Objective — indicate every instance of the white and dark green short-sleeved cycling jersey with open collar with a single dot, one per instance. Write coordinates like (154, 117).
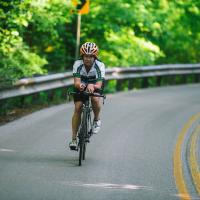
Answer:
(96, 73)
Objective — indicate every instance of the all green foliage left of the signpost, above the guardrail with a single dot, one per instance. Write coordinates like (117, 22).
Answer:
(32, 37)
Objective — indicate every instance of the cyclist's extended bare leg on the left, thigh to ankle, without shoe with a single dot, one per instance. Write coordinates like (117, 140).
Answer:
(76, 118)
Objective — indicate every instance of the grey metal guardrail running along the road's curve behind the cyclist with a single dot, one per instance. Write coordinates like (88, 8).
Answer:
(29, 86)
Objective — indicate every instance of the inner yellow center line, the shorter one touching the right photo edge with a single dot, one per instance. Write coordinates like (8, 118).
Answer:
(193, 160)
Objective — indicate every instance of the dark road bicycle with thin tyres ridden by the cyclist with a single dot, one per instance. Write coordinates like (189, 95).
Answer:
(85, 128)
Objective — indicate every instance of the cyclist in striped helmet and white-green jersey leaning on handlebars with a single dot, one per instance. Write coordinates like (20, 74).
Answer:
(89, 75)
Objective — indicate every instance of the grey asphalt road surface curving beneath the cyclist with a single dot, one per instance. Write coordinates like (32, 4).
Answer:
(131, 158)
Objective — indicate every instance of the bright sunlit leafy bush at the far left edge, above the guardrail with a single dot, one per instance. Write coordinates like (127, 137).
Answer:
(16, 58)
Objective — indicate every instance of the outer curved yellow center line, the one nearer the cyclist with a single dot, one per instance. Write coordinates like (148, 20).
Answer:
(178, 169)
